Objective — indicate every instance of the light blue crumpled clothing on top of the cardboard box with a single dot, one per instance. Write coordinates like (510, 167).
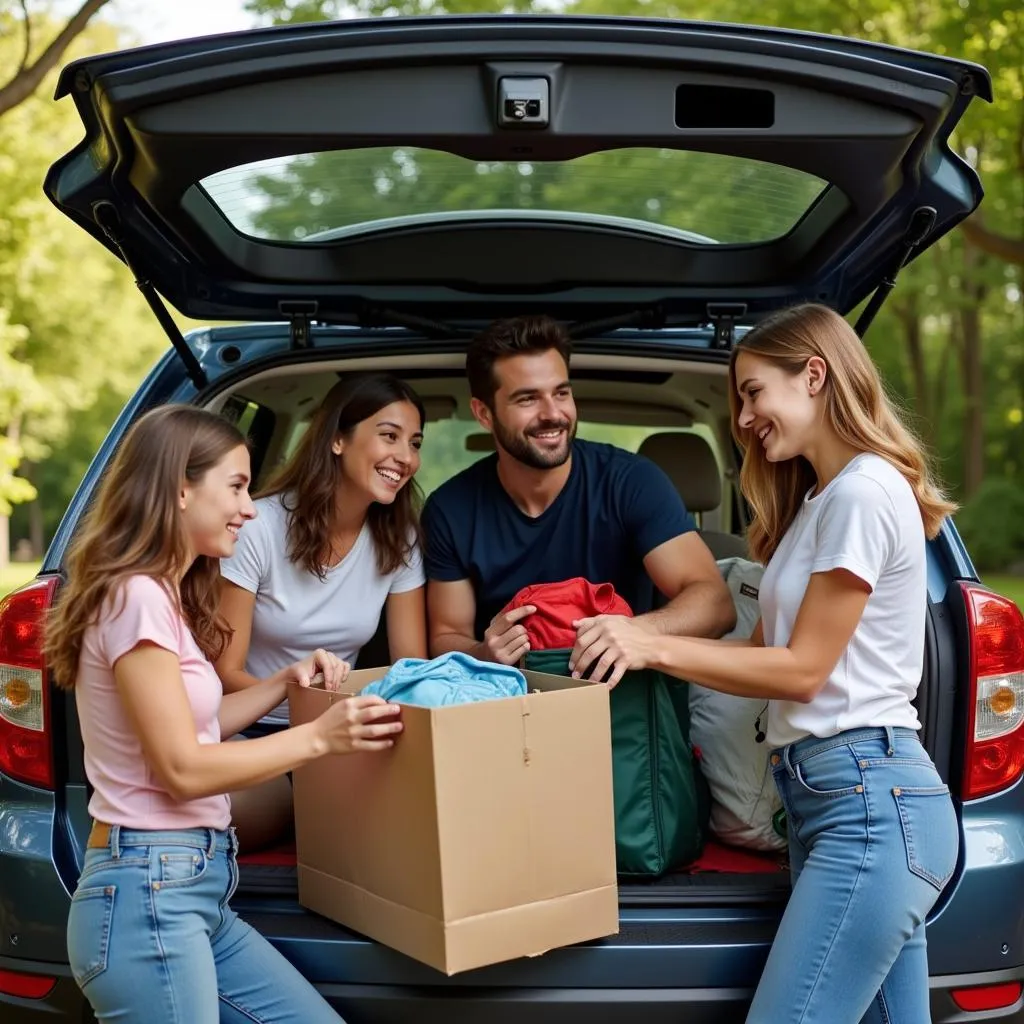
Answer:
(451, 679)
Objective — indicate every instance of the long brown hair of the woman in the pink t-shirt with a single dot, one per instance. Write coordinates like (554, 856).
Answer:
(135, 528)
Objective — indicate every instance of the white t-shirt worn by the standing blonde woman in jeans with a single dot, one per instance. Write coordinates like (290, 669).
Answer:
(868, 522)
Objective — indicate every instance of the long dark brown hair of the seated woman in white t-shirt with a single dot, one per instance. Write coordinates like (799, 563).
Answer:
(309, 483)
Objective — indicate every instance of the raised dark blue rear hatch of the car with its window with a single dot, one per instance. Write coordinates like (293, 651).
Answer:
(431, 172)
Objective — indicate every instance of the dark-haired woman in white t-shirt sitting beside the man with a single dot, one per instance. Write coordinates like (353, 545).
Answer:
(335, 543)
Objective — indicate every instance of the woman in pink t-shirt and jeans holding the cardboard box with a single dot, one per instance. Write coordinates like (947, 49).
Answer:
(151, 936)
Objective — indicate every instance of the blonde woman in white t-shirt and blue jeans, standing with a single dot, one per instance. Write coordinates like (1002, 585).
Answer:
(843, 506)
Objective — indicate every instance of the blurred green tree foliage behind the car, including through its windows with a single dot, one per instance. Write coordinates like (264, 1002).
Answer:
(76, 334)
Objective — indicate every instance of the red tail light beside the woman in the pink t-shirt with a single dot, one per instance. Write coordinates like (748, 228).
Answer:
(26, 746)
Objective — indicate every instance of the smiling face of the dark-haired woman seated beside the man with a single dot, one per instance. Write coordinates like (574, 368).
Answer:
(381, 454)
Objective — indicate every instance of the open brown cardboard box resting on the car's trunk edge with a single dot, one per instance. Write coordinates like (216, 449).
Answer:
(486, 834)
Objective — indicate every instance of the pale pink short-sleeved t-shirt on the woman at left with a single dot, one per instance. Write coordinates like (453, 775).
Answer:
(127, 791)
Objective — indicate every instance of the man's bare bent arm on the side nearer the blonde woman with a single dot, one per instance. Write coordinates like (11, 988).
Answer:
(686, 572)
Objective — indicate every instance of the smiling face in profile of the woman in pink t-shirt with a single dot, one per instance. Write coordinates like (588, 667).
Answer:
(216, 507)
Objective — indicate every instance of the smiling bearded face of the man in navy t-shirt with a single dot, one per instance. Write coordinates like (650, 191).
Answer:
(534, 418)
